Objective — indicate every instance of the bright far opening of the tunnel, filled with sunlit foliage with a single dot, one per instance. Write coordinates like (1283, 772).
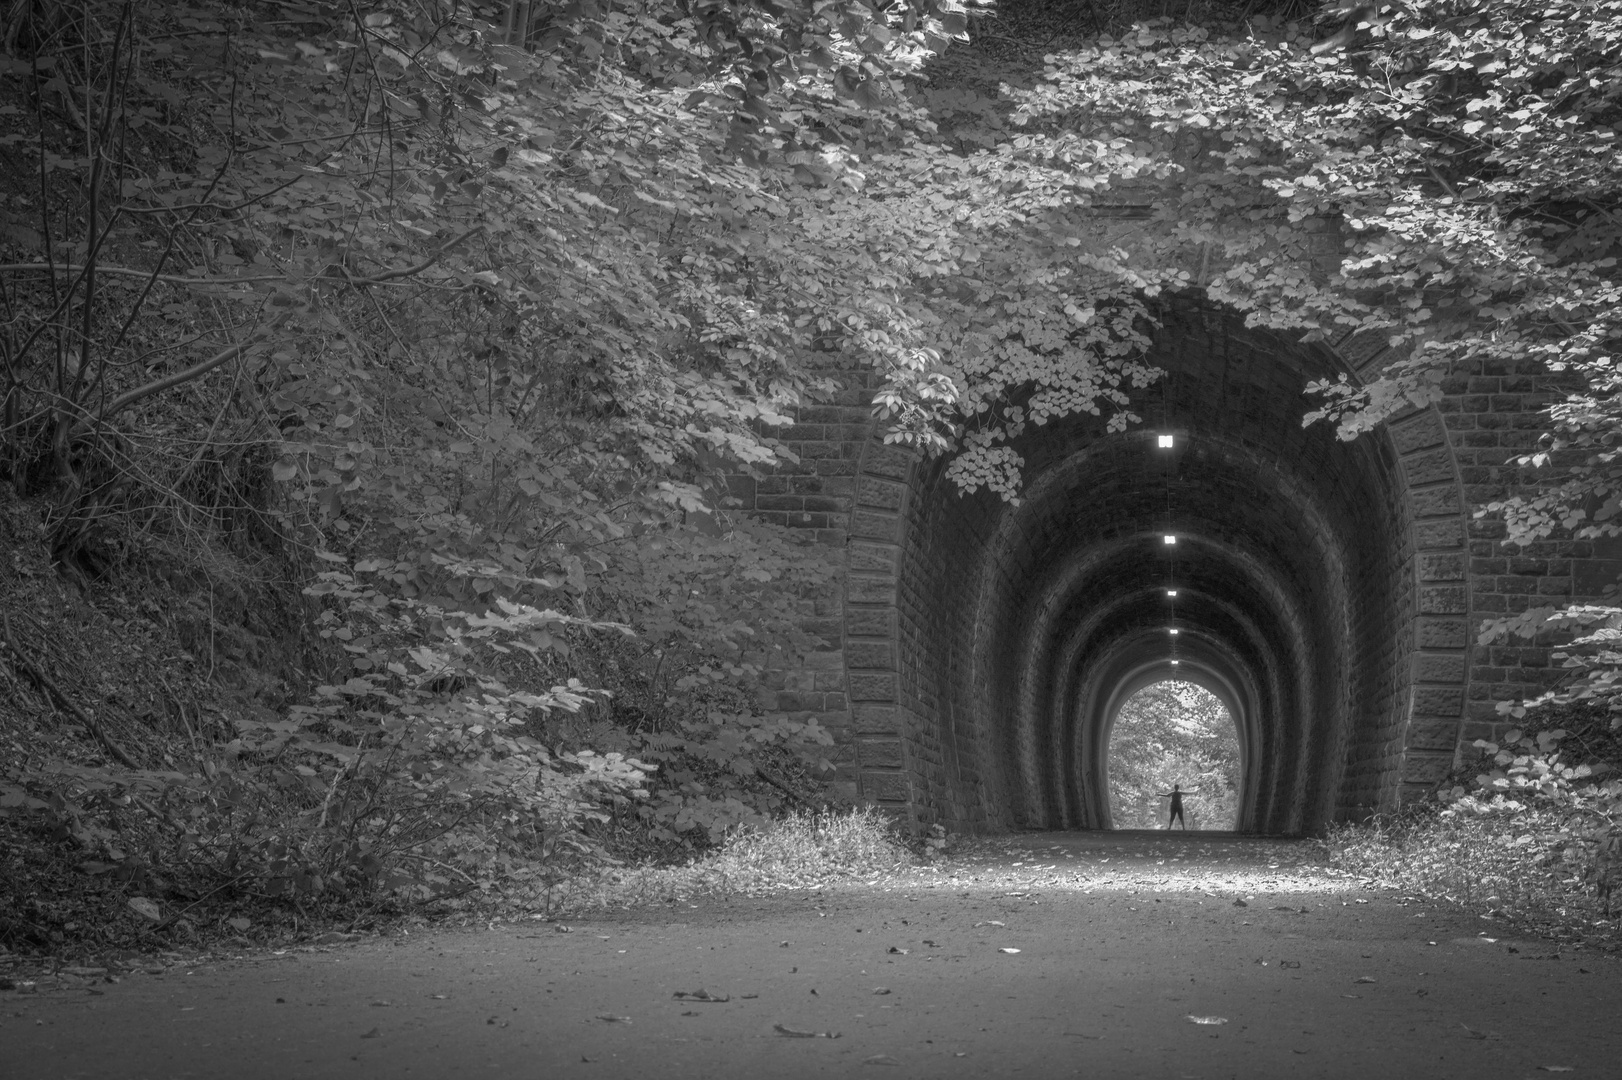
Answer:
(1174, 734)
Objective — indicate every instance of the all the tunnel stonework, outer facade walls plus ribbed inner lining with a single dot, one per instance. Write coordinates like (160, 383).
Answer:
(1331, 591)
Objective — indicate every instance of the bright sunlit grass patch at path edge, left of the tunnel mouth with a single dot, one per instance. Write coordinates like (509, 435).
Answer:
(804, 851)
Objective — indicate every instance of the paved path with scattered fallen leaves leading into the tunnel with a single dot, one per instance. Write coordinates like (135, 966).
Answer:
(1122, 938)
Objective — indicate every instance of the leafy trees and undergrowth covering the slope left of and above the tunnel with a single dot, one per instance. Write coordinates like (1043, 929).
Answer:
(372, 374)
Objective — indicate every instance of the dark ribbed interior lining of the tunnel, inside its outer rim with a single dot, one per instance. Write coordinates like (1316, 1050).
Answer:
(1024, 628)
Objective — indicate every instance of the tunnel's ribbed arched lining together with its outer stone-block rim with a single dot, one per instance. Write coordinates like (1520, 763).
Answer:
(940, 589)
